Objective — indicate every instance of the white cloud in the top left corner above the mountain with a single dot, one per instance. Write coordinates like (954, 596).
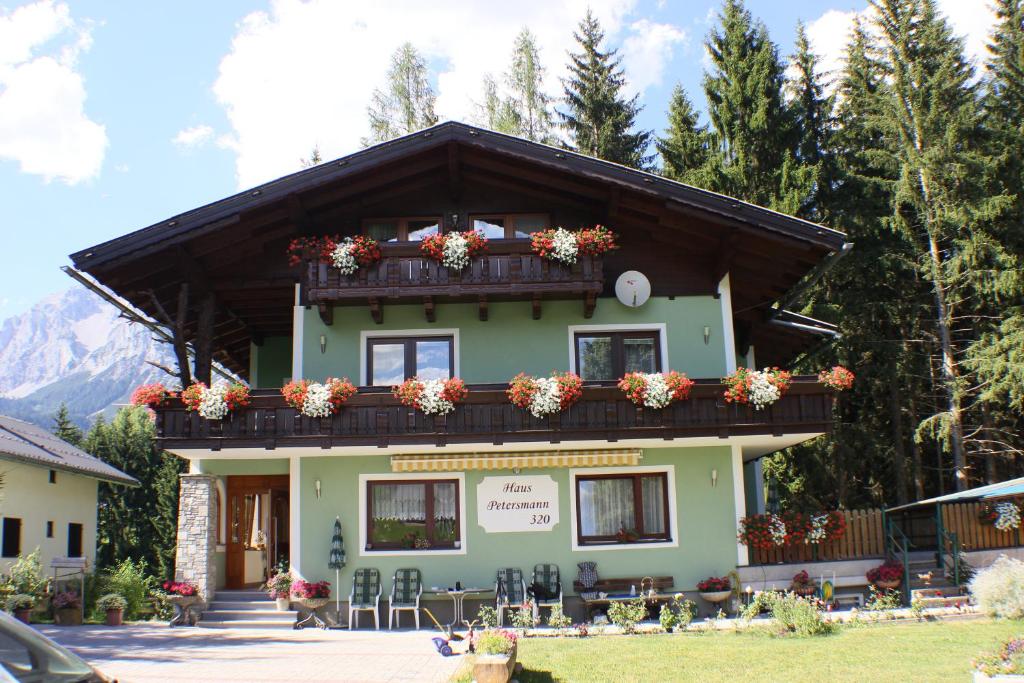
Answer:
(44, 125)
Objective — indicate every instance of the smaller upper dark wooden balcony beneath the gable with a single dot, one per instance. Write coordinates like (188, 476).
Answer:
(508, 272)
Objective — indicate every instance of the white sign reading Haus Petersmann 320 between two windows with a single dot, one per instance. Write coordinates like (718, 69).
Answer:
(518, 504)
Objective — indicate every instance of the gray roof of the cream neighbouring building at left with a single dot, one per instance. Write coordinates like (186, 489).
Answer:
(28, 444)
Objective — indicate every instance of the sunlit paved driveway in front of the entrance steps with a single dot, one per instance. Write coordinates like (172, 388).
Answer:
(151, 654)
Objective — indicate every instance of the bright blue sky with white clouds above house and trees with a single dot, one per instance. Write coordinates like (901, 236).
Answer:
(114, 116)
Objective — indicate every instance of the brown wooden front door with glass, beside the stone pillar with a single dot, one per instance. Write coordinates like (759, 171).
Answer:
(258, 528)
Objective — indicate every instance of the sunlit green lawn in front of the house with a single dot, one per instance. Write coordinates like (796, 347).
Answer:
(915, 652)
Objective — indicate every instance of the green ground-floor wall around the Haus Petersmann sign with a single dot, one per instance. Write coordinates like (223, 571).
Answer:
(705, 524)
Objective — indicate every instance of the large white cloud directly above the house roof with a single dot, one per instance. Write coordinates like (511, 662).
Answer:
(303, 73)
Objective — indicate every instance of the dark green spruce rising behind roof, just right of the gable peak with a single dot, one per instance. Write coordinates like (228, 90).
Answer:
(599, 118)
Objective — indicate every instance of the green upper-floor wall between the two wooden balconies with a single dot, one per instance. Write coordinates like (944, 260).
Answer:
(510, 341)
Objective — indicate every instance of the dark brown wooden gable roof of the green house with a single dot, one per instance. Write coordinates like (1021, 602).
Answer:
(235, 247)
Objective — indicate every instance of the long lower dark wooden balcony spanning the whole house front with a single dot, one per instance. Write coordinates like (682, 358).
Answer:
(374, 418)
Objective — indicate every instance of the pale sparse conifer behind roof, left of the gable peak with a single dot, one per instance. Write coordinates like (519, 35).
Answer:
(406, 105)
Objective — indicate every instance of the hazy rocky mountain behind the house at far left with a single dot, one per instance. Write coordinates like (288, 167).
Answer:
(72, 348)
